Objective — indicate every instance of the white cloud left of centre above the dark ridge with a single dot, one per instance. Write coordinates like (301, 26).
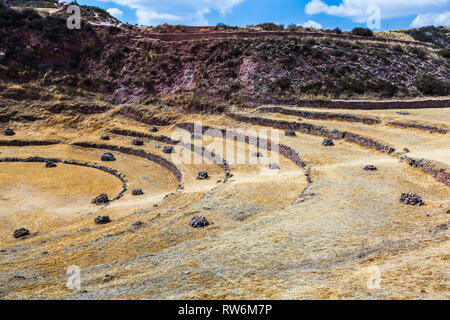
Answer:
(192, 12)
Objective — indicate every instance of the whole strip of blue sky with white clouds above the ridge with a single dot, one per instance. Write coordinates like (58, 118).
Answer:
(346, 14)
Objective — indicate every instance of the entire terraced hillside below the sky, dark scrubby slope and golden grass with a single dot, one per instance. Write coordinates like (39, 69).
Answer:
(197, 163)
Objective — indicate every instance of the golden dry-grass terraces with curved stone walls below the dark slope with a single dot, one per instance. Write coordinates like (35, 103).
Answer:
(314, 228)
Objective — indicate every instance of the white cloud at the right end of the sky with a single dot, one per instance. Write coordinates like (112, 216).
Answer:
(357, 9)
